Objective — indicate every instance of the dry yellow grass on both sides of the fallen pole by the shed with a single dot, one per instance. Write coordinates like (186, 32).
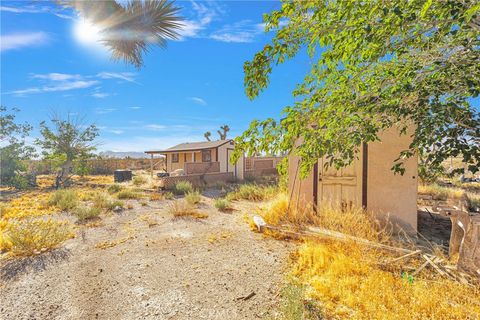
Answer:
(350, 281)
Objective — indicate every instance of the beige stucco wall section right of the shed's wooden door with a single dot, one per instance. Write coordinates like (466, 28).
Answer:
(389, 193)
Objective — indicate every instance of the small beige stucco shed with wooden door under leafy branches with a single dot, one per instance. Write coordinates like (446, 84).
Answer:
(369, 182)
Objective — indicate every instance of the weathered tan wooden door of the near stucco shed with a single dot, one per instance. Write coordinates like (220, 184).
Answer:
(340, 188)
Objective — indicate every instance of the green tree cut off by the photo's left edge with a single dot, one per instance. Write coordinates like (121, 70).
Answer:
(13, 149)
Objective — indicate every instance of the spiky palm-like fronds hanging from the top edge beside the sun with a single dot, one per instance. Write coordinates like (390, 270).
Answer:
(128, 29)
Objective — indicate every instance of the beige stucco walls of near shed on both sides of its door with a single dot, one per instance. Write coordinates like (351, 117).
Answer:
(388, 194)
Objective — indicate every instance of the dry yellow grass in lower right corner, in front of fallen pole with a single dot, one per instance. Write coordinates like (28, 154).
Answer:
(348, 283)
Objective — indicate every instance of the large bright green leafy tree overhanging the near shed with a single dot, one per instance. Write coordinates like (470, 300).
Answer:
(374, 64)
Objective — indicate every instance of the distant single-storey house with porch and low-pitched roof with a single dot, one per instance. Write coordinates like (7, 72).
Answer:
(201, 158)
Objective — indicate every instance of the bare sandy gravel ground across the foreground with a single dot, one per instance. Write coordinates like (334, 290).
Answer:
(144, 264)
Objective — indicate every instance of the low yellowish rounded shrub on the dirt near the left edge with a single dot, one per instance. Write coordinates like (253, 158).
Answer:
(32, 236)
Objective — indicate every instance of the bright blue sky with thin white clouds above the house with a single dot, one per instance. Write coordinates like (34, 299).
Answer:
(193, 86)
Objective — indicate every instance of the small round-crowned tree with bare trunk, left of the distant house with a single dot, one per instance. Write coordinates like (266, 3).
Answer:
(68, 142)
